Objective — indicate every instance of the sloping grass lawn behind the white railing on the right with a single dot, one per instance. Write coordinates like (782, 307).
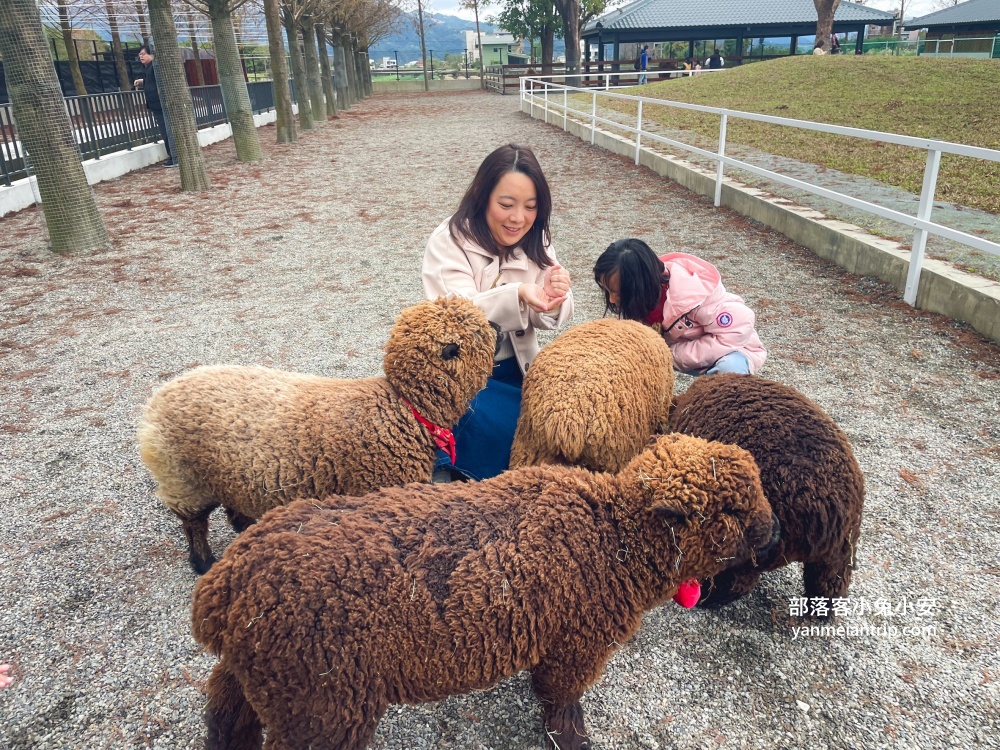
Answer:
(954, 100)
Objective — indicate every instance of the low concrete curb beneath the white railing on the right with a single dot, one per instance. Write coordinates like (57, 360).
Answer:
(943, 289)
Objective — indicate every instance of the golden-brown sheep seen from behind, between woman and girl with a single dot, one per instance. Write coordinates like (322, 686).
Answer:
(594, 396)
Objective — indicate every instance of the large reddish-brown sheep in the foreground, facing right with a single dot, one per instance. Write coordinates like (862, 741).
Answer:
(326, 612)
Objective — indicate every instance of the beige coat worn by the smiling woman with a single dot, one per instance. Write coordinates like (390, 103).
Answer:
(468, 270)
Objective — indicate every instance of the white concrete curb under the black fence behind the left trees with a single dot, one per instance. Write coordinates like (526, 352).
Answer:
(21, 193)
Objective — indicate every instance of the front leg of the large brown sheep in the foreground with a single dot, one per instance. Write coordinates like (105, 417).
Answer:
(559, 685)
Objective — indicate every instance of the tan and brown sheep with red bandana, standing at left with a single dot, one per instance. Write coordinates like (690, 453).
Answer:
(250, 438)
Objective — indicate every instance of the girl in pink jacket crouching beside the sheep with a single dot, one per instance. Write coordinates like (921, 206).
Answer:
(708, 329)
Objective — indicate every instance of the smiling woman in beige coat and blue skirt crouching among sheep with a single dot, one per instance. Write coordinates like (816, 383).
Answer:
(496, 251)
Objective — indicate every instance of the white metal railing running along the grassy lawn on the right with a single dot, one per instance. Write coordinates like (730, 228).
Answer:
(554, 98)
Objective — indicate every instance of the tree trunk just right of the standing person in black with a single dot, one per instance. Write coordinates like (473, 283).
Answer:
(176, 98)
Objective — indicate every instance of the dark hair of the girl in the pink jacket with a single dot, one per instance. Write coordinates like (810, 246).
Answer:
(640, 278)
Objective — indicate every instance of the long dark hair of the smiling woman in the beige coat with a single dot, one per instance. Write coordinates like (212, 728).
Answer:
(470, 219)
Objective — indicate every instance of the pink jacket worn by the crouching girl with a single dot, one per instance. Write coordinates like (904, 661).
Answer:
(702, 321)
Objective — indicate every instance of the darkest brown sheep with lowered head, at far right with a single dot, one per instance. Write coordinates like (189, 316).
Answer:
(808, 470)
